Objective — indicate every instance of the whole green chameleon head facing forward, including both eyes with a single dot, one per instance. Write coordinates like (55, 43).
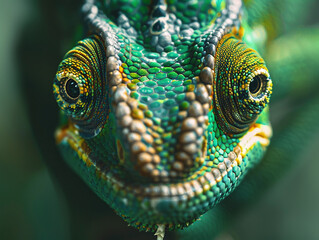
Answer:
(165, 108)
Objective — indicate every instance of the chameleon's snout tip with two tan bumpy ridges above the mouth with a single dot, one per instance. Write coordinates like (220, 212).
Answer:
(147, 149)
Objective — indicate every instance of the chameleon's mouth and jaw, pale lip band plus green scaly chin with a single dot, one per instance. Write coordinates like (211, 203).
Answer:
(174, 204)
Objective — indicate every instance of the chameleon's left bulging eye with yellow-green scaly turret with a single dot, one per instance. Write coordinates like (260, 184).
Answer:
(80, 86)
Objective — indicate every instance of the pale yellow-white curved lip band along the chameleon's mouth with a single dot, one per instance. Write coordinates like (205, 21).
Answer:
(178, 191)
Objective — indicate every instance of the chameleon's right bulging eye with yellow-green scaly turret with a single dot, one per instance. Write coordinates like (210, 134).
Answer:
(242, 88)
